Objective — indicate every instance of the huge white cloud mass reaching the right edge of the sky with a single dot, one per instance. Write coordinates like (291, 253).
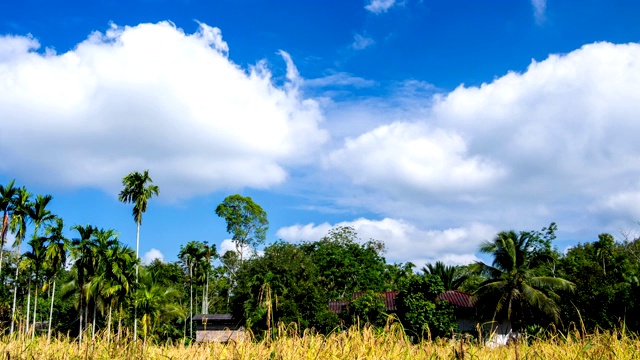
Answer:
(553, 143)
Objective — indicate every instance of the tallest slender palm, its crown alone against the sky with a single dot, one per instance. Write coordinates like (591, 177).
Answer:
(138, 189)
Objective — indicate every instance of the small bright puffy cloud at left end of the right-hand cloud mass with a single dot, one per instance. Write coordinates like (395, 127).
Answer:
(411, 157)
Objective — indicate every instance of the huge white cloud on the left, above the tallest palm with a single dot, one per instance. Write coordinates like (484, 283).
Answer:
(151, 97)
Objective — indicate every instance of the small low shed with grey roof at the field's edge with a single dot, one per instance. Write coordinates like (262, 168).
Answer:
(217, 327)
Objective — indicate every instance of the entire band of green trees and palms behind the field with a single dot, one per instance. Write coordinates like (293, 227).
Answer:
(93, 284)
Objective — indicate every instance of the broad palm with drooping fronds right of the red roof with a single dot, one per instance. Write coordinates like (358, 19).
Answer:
(514, 289)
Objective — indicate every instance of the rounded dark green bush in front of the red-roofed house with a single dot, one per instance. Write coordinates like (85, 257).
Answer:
(419, 311)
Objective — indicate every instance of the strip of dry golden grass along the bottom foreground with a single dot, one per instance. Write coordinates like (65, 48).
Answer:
(351, 344)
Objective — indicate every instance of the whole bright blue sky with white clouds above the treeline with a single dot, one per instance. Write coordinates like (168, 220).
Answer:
(430, 125)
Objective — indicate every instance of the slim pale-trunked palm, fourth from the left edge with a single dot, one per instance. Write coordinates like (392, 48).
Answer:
(56, 255)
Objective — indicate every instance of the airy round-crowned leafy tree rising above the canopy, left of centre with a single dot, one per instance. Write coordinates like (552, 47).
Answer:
(246, 222)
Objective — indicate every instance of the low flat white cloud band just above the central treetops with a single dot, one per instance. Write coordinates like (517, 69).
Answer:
(404, 241)
